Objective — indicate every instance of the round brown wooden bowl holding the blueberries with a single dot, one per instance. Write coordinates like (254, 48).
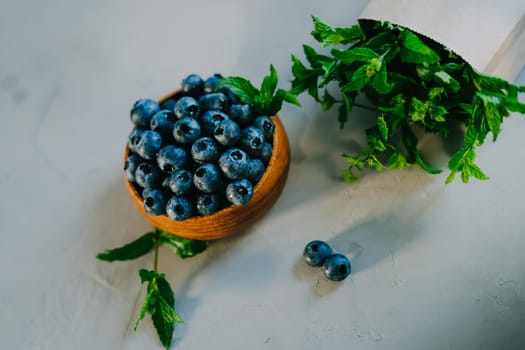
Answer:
(232, 219)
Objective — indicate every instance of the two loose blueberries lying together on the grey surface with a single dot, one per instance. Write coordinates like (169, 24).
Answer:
(335, 266)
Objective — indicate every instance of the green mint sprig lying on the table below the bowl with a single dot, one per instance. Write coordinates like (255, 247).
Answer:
(160, 299)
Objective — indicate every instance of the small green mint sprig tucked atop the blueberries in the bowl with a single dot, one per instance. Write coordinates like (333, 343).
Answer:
(267, 100)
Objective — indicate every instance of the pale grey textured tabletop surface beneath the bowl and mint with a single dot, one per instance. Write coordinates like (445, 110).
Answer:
(438, 266)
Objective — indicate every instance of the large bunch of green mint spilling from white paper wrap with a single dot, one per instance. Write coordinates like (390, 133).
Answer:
(412, 83)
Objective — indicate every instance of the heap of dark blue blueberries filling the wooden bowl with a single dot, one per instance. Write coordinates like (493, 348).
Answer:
(197, 152)
